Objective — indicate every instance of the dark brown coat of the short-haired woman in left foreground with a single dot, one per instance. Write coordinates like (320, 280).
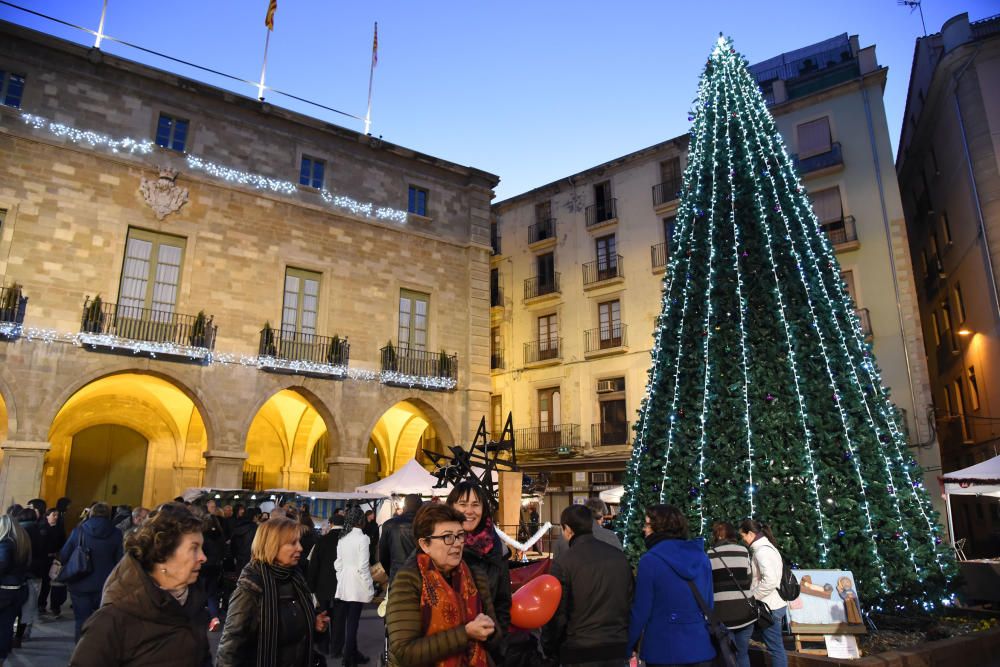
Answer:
(139, 623)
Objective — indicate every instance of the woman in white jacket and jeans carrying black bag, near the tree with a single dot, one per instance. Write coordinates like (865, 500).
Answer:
(766, 565)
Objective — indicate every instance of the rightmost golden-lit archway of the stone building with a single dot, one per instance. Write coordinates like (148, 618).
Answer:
(403, 432)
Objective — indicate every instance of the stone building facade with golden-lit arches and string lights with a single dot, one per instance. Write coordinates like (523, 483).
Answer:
(197, 216)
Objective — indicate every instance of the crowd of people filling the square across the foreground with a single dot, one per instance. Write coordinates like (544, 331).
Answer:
(147, 587)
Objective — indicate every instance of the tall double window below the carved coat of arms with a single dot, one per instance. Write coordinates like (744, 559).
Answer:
(151, 273)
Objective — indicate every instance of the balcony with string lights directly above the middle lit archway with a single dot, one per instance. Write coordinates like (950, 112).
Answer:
(297, 353)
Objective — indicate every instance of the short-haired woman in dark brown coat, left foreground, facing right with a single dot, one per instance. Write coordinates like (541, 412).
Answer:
(152, 613)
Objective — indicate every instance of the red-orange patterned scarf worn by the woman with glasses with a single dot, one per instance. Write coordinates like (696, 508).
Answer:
(445, 605)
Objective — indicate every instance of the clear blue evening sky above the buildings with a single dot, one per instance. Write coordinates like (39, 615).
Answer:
(531, 91)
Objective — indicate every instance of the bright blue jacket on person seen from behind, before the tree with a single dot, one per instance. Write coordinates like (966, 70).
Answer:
(664, 611)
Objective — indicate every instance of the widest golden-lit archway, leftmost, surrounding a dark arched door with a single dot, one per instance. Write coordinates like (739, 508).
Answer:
(157, 409)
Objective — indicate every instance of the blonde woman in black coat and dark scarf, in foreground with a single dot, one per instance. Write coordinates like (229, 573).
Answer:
(271, 619)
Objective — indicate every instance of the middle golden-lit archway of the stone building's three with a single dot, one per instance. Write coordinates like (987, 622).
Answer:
(287, 444)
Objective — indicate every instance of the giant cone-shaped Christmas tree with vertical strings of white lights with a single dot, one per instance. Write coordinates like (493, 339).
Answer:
(764, 399)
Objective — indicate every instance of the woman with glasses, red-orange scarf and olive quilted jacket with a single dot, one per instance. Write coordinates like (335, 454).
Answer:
(440, 612)
